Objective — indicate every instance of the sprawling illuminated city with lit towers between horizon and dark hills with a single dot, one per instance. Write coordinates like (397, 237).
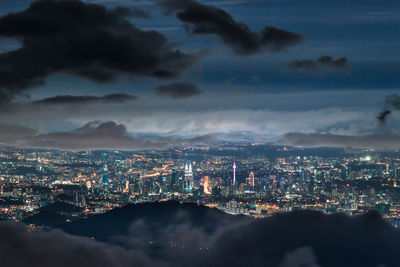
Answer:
(252, 179)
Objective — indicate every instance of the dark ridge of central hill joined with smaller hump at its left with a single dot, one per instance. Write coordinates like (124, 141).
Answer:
(157, 215)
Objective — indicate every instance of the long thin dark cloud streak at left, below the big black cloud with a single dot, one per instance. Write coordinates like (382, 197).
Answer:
(71, 99)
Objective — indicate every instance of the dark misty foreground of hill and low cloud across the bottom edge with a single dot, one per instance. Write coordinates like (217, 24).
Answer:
(173, 234)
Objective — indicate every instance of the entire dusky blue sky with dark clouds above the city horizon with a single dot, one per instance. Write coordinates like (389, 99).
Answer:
(129, 74)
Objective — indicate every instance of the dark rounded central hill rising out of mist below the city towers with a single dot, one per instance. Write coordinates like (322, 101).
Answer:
(155, 215)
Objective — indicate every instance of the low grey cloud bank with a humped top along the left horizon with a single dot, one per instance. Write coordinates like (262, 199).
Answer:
(93, 135)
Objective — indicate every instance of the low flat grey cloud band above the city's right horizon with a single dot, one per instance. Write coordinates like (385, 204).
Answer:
(373, 141)
